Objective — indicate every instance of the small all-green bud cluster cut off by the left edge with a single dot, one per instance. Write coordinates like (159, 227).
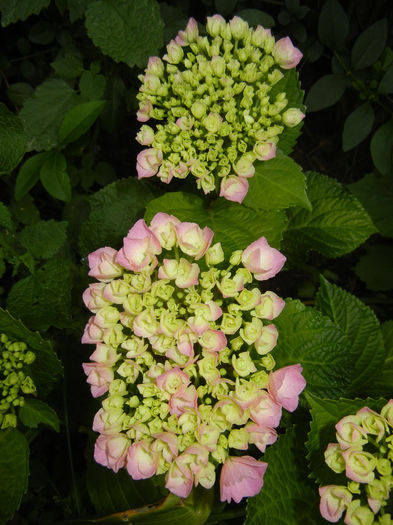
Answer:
(14, 383)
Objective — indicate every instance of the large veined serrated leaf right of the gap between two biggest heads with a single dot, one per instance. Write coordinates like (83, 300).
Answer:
(336, 225)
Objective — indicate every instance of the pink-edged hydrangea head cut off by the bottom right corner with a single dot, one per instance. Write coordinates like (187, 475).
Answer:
(364, 451)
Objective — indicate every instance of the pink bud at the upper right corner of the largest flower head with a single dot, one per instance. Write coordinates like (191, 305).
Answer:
(262, 260)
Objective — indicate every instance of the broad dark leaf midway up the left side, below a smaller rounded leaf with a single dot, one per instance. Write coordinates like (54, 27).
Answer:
(44, 298)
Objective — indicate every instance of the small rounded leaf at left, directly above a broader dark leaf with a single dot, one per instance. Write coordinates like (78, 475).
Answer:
(44, 239)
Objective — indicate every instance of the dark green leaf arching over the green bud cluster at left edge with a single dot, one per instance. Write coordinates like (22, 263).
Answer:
(46, 367)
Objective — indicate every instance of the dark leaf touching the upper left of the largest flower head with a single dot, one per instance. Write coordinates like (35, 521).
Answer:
(114, 209)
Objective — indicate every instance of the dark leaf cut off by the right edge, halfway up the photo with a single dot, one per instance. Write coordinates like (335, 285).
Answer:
(375, 192)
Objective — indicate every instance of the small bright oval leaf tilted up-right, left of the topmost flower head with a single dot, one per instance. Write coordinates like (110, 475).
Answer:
(79, 119)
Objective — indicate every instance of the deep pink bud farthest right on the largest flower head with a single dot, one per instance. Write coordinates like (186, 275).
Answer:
(286, 384)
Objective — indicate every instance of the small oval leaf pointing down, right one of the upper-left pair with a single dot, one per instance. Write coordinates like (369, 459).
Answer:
(54, 177)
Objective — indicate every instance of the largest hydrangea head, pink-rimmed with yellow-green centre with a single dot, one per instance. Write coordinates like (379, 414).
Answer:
(183, 356)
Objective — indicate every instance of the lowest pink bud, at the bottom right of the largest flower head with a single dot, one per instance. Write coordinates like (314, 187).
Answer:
(241, 477)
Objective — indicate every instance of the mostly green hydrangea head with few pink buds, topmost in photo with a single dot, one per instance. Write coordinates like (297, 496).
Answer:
(213, 96)
